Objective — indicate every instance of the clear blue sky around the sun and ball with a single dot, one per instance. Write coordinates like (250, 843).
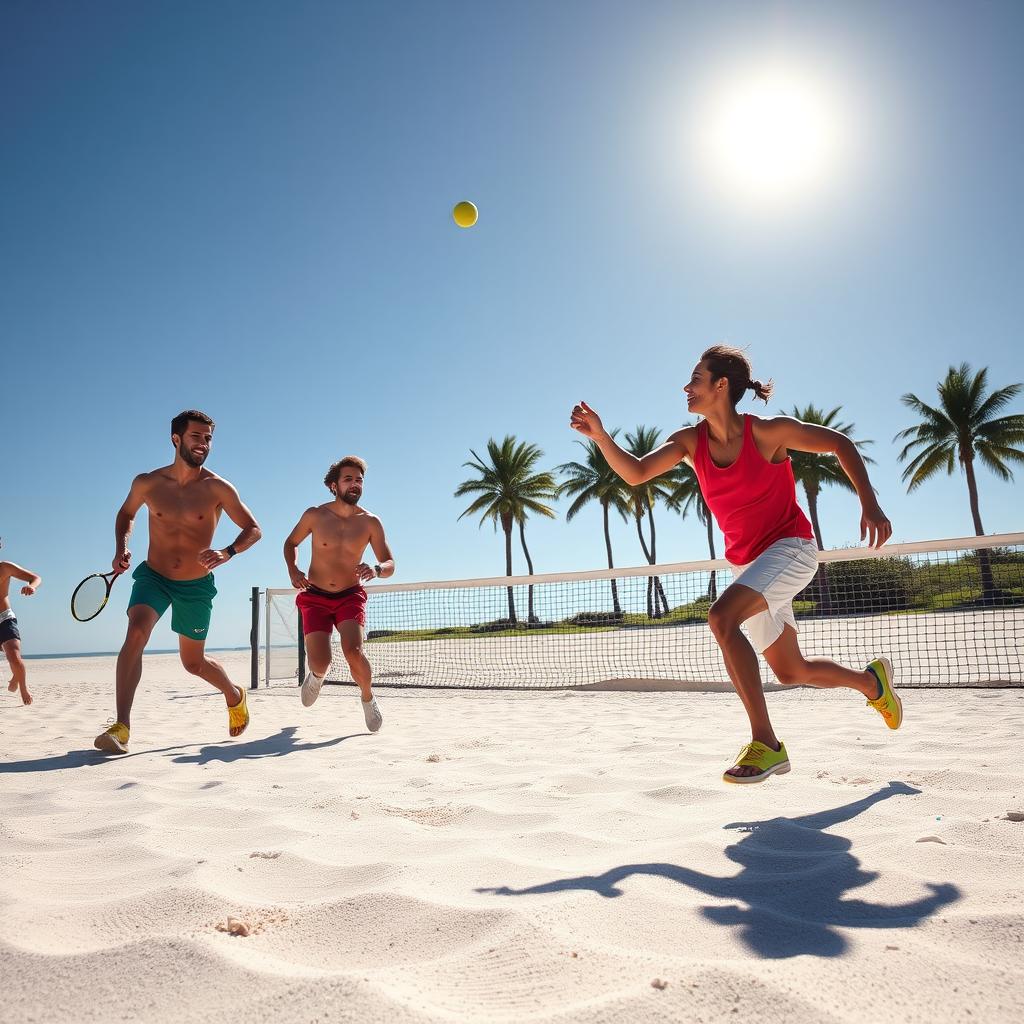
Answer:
(245, 208)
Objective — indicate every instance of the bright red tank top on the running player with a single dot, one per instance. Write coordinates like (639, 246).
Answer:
(754, 501)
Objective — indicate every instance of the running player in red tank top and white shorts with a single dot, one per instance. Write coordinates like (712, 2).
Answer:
(743, 466)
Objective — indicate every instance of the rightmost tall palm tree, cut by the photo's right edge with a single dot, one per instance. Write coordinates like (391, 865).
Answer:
(964, 429)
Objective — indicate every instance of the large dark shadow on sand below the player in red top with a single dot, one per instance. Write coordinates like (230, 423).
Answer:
(791, 890)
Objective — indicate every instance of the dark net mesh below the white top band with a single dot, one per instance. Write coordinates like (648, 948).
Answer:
(946, 615)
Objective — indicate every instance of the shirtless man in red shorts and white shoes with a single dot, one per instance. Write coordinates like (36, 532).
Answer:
(332, 594)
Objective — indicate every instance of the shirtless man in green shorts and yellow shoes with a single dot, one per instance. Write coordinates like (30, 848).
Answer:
(185, 502)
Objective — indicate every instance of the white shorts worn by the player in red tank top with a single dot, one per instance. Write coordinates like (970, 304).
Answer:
(779, 575)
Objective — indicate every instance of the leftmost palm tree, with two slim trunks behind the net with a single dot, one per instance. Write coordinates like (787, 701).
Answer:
(508, 490)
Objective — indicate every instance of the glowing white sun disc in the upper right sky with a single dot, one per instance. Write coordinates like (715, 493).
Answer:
(771, 135)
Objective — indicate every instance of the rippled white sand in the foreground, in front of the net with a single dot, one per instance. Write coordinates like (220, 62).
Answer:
(506, 858)
